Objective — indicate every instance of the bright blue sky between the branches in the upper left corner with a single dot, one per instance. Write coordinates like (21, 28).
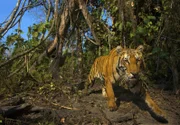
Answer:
(6, 7)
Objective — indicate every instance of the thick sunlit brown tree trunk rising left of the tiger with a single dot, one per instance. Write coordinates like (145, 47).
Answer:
(58, 42)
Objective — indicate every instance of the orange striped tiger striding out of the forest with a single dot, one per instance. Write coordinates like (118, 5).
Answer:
(122, 64)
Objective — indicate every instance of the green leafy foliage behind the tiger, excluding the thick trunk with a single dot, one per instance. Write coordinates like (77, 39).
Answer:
(153, 23)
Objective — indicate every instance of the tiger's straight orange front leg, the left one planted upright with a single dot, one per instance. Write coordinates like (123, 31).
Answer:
(110, 96)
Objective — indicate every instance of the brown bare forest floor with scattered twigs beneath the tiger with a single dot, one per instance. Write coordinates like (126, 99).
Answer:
(67, 108)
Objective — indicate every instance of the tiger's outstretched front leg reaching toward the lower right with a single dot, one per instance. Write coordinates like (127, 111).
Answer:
(156, 112)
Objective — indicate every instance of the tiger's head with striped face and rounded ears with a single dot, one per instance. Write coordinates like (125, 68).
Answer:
(130, 62)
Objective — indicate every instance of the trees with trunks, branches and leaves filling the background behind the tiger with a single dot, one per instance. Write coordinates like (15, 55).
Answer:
(96, 26)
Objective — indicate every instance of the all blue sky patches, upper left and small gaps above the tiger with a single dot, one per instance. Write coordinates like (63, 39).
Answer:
(29, 18)
